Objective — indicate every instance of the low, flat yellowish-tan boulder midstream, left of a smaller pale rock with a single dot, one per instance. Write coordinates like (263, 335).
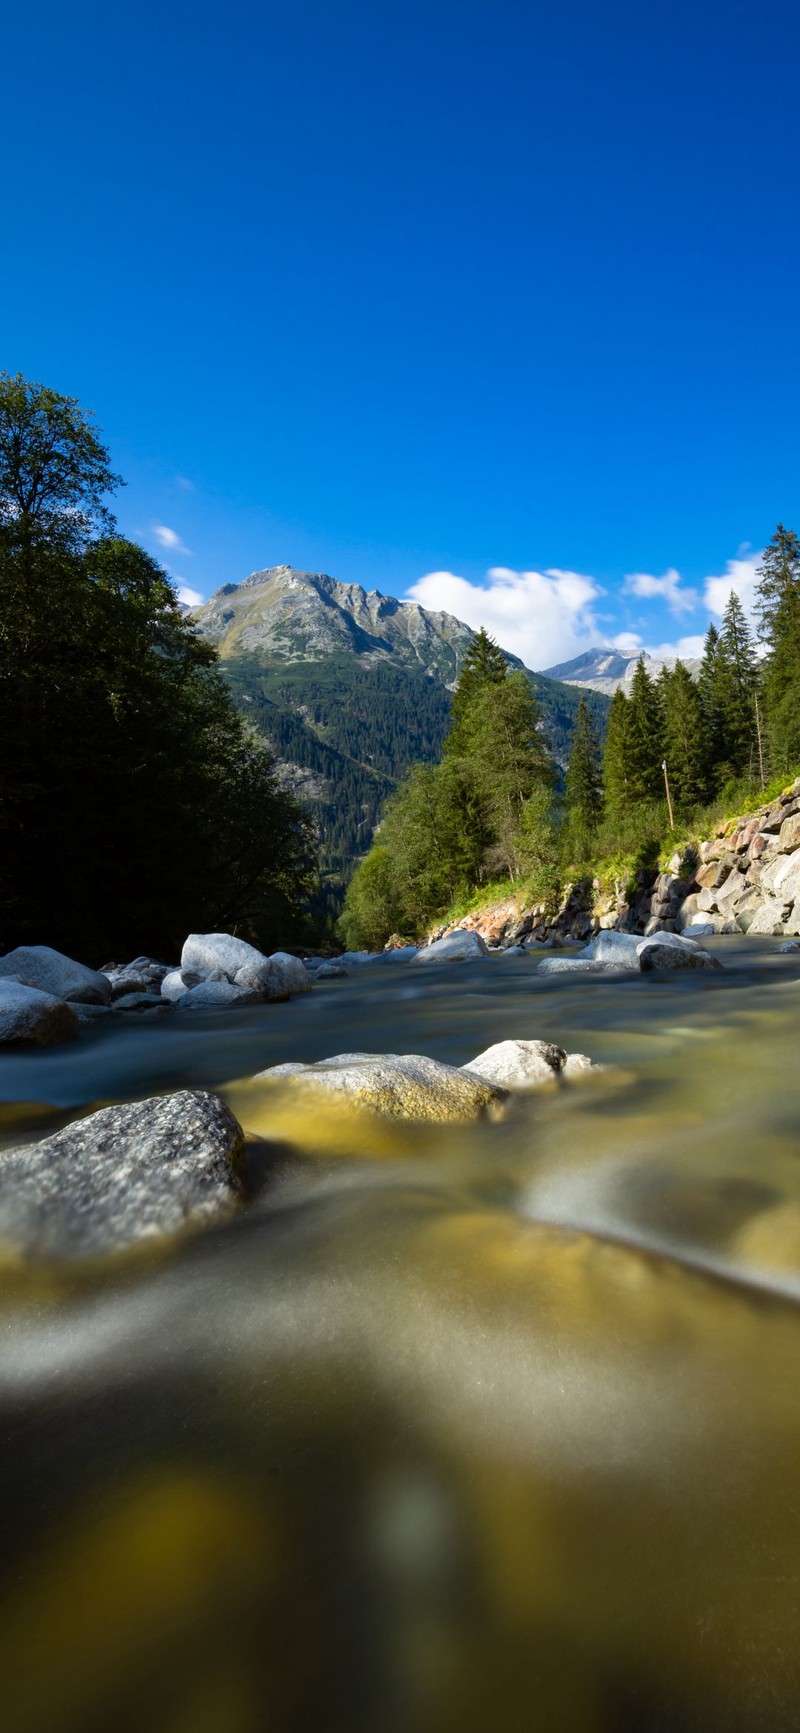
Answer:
(399, 1086)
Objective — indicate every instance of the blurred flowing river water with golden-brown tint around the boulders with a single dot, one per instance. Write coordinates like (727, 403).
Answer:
(456, 1429)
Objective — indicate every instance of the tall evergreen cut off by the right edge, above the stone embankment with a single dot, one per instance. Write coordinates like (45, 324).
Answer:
(780, 618)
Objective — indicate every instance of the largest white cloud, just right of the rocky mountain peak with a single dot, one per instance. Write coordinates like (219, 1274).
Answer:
(543, 618)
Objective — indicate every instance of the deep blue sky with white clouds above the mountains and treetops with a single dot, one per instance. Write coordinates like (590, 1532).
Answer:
(487, 304)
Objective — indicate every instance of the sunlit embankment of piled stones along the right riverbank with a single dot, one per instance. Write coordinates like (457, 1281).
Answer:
(744, 879)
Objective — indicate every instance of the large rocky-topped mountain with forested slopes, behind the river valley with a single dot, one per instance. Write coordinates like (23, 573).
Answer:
(351, 687)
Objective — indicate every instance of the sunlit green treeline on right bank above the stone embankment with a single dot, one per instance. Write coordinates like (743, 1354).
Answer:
(674, 746)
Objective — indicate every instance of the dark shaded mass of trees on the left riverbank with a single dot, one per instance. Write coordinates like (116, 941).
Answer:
(134, 802)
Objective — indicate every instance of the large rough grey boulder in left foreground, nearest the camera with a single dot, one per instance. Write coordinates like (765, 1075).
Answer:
(122, 1176)
